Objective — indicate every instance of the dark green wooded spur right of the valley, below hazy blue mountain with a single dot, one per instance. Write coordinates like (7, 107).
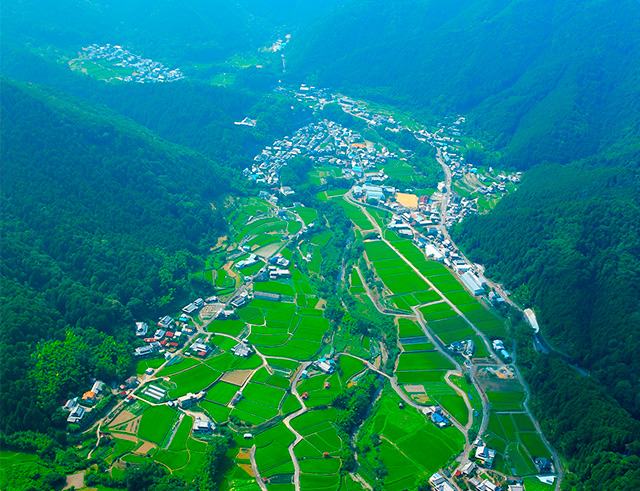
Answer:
(576, 258)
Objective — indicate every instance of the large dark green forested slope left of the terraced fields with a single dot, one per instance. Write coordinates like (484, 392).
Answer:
(101, 221)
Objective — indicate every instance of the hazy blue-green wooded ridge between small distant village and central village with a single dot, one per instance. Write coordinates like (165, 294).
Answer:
(191, 112)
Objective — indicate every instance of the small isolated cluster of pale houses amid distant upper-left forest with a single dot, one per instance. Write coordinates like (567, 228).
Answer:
(134, 68)
